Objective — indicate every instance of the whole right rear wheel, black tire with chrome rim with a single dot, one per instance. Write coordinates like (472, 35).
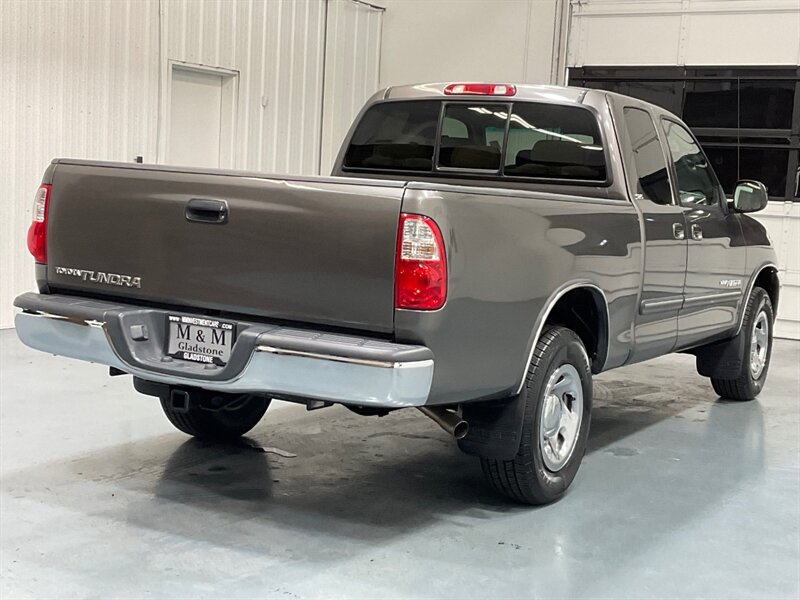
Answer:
(558, 404)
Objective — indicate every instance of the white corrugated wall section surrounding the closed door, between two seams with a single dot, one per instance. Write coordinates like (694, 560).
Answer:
(277, 48)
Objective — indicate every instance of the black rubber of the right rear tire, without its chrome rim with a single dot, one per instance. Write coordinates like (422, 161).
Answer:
(526, 478)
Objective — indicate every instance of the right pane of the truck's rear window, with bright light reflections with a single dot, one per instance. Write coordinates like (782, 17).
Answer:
(554, 142)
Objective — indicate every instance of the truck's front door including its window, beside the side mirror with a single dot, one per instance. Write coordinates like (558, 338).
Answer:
(716, 250)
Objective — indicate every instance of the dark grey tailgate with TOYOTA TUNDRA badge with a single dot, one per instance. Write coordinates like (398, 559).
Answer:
(301, 249)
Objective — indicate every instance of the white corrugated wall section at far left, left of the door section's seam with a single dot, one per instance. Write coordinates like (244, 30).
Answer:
(77, 79)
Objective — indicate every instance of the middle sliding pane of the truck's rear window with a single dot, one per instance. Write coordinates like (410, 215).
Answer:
(485, 125)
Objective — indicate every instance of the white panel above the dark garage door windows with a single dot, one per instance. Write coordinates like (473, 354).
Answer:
(684, 32)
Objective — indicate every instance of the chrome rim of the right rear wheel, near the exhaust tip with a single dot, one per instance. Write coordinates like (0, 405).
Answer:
(560, 420)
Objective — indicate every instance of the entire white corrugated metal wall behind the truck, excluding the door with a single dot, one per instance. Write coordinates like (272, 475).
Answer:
(89, 79)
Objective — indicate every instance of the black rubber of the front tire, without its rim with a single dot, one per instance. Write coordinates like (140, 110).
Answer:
(746, 386)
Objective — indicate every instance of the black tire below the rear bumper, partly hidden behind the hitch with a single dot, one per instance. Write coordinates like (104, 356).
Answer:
(239, 414)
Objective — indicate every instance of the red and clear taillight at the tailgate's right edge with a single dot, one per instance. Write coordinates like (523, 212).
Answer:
(420, 274)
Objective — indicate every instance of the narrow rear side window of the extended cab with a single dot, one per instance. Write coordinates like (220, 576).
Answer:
(651, 167)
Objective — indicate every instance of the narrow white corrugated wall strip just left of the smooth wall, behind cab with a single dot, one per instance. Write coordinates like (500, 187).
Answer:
(352, 69)
